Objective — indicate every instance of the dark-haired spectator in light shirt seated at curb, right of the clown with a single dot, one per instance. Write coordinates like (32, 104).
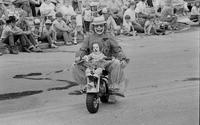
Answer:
(128, 28)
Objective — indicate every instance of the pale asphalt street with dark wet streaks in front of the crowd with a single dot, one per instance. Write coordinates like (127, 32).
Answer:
(163, 85)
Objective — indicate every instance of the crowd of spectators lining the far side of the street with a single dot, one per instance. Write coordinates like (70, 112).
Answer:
(27, 23)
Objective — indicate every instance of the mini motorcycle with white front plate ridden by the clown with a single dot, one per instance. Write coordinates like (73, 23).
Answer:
(97, 88)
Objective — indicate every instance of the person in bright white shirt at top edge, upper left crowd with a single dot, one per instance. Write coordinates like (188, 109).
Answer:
(47, 9)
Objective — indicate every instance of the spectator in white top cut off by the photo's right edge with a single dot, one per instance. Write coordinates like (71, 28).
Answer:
(195, 12)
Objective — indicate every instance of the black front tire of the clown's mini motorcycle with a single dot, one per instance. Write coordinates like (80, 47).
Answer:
(92, 103)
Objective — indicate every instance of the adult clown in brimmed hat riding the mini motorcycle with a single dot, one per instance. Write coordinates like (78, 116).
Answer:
(109, 48)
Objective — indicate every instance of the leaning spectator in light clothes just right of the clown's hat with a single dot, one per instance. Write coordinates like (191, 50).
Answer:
(112, 27)
